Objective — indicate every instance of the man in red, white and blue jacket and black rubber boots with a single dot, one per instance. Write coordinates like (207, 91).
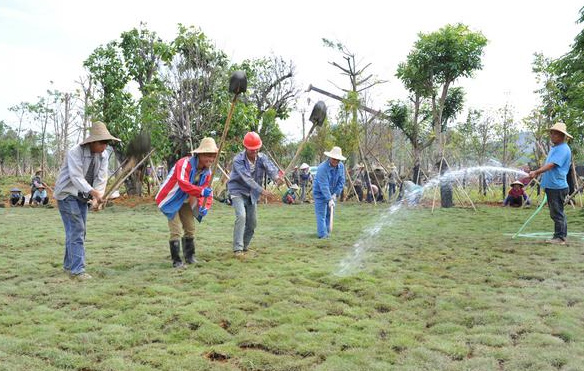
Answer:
(190, 176)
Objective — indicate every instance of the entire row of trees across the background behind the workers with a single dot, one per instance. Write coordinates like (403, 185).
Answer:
(176, 92)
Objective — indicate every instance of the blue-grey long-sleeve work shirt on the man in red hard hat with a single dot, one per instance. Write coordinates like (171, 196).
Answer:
(244, 182)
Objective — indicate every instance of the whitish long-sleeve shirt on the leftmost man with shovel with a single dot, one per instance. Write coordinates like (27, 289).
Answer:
(71, 178)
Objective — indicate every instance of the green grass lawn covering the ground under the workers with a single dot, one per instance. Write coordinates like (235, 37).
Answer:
(443, 291)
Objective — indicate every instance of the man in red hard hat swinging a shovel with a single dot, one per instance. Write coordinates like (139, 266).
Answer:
(244, 186)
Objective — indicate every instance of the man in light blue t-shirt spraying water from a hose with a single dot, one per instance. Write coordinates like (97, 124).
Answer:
(556, 167)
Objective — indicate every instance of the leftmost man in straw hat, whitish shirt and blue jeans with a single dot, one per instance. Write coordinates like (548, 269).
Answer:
(82, 180)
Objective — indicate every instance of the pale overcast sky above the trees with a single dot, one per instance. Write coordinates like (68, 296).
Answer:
(48, 40)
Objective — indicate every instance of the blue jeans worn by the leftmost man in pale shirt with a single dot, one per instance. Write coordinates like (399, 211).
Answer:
(74, 216)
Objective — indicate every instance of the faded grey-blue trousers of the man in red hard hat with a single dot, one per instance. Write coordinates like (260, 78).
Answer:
(245, 222)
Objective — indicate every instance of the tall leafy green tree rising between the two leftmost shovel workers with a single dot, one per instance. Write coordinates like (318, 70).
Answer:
(135, 58)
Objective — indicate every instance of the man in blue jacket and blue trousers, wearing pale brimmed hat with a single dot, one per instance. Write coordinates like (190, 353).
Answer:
(328, 185)
